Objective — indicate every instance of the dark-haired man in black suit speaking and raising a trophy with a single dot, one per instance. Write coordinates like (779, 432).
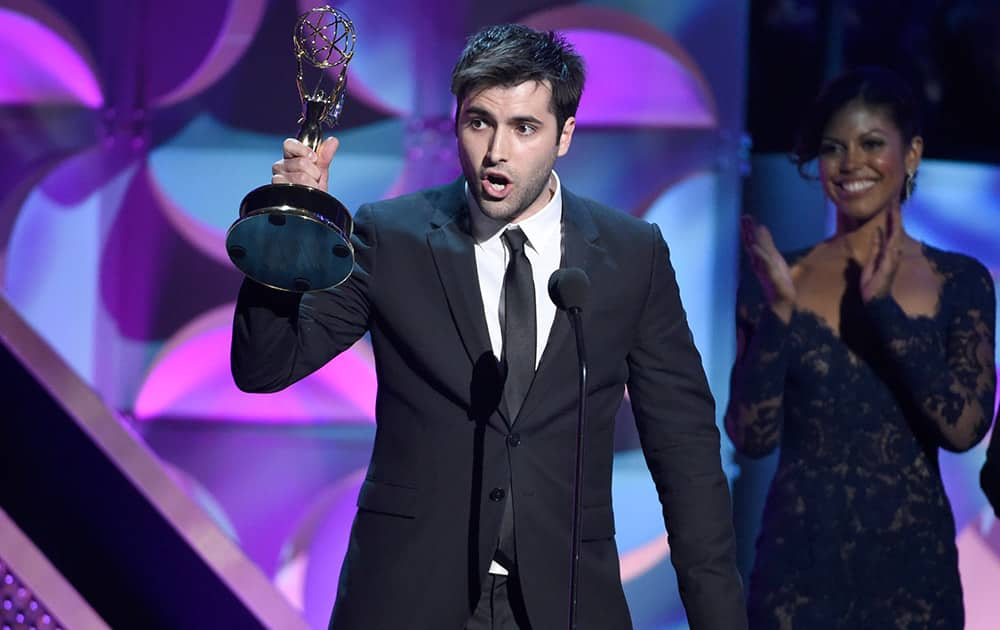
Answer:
(464, 518)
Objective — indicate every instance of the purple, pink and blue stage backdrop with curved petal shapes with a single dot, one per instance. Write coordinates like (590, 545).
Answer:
(130, 130)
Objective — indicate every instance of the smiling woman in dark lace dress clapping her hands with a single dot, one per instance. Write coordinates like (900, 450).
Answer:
(860, 357)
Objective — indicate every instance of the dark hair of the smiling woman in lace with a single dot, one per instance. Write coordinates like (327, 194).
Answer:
(872, 85)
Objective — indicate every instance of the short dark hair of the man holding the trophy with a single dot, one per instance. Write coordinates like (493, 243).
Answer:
(510, 54)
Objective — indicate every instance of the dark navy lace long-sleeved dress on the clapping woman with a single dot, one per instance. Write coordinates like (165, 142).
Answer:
(857, 530)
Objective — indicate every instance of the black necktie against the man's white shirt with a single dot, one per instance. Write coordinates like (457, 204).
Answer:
(519, 336)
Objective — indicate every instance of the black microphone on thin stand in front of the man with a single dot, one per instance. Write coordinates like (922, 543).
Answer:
(568, 289)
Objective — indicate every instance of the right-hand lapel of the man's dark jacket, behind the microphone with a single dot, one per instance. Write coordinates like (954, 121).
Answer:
(580, 249)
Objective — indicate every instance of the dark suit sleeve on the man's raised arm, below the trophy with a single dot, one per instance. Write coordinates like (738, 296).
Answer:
(280, 337)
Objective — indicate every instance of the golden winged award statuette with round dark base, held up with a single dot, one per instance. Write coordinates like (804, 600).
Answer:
(292, 237)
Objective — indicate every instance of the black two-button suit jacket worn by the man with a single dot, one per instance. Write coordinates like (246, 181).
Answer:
(445, 452)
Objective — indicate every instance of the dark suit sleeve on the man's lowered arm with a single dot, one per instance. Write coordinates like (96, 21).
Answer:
(675, 417)
